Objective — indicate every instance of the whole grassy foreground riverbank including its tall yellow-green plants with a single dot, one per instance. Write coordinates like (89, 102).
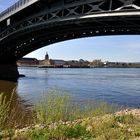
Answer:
(60, 118)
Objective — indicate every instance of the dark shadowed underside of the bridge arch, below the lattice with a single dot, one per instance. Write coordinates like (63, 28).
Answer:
(27, 39)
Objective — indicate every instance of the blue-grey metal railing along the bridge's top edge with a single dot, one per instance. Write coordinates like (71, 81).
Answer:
(14, 8)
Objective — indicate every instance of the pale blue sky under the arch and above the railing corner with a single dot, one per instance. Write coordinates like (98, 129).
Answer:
(108, 48)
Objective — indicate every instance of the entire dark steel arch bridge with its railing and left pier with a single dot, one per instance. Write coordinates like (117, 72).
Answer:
(31, 24)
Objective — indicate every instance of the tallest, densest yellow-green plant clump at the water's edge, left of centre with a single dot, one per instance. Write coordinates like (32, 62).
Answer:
(52, 109)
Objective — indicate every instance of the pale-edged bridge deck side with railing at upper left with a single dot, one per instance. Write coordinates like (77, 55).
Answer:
(21, 4)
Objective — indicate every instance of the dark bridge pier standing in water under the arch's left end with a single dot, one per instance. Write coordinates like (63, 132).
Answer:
(8, 72)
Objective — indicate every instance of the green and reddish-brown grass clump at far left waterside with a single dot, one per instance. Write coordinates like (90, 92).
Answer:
(13, 114)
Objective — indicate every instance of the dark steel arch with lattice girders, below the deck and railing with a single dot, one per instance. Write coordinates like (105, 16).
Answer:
(75, 19)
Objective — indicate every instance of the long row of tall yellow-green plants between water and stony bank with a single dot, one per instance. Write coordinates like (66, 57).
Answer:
(56, 108)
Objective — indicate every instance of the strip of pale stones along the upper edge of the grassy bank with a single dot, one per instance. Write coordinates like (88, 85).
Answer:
(88, 122)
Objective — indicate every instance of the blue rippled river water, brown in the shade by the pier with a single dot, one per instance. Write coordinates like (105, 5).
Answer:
(114, 85)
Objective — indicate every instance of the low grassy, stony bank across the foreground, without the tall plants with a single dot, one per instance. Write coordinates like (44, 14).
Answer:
(121, 125)
